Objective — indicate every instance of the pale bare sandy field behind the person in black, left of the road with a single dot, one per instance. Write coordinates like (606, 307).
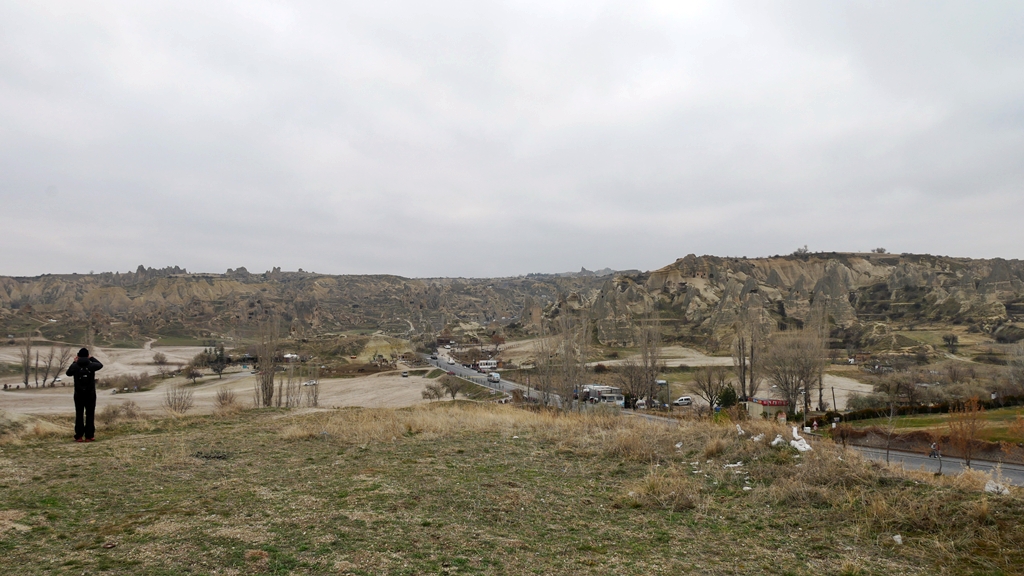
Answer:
(386, 390)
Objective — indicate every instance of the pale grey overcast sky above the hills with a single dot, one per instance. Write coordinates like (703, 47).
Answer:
(484, 139)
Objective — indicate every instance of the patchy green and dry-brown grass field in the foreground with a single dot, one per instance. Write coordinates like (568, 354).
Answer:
(465, 488)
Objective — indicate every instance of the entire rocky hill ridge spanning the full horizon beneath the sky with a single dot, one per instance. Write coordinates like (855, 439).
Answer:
(696, 298)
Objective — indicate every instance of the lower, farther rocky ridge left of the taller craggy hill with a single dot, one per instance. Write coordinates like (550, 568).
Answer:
(170, 304)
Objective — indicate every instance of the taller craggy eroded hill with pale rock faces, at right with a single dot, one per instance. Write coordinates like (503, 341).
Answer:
(710, 295)
